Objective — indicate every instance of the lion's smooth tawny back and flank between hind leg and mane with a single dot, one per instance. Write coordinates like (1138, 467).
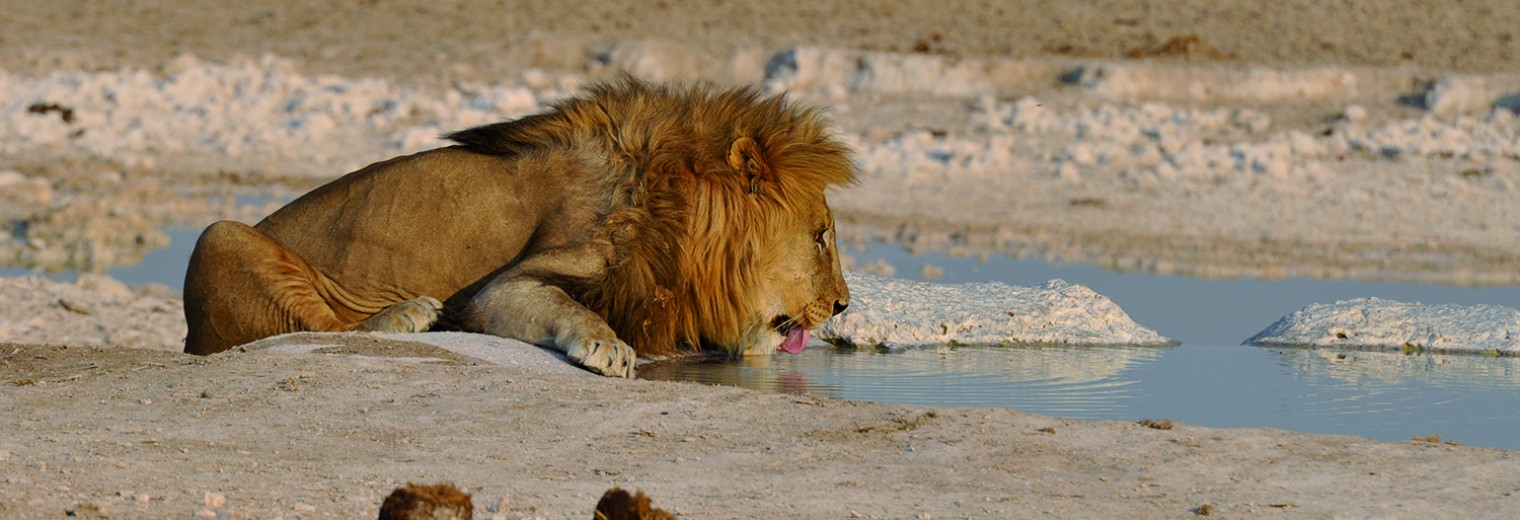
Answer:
(431, 223)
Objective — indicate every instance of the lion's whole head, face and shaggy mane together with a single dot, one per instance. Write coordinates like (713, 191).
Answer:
(723, 232)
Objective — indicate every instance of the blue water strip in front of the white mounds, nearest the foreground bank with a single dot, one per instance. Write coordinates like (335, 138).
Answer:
(1384, 396)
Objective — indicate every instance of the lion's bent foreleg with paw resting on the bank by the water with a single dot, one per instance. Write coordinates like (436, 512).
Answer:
(524, 308)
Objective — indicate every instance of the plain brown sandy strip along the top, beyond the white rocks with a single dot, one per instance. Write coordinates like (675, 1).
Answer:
(455, 39)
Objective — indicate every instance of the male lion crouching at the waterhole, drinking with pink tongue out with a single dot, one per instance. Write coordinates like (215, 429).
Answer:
(633, 221)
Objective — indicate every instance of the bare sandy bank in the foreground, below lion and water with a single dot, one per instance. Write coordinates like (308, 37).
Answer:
(124, 433)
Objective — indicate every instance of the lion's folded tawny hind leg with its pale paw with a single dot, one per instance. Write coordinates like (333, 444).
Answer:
(244, 287)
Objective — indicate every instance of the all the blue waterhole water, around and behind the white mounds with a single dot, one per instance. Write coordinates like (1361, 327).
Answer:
(1211, 379)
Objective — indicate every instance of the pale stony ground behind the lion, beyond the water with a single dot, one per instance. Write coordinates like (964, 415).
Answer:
(1206, 154)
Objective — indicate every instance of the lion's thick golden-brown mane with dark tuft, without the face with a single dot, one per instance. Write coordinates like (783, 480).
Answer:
(683, 223)
